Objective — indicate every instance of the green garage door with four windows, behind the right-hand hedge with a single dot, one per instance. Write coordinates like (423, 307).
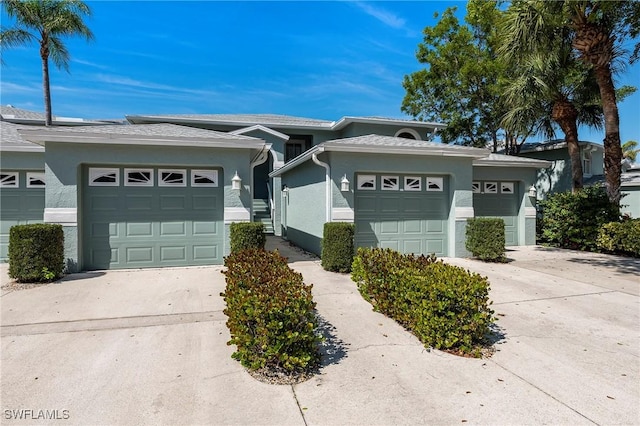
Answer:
(405, 213)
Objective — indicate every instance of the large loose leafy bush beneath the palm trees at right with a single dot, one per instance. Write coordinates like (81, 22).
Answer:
(573, 220)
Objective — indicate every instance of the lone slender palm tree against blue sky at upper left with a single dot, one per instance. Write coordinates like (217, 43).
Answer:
(47, 22)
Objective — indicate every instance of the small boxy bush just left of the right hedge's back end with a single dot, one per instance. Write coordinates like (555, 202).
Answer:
(337, 246)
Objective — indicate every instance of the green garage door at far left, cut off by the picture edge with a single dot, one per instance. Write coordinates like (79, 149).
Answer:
(21, 202)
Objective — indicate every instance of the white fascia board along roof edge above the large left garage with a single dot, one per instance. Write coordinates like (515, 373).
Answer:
(88, 138)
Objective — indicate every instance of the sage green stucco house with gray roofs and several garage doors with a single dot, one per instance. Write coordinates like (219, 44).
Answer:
(162, 190)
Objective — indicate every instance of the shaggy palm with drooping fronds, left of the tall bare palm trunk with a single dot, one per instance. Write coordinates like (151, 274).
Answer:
(548, 87)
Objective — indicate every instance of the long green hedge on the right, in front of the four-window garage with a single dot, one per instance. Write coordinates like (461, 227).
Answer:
(445, 306)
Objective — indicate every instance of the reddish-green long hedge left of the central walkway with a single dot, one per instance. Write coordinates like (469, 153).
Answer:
(271, 313)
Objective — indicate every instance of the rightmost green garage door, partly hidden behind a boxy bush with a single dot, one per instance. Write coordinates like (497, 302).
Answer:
(498, 199)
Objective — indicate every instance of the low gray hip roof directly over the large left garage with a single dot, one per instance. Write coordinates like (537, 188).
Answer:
(142, 134)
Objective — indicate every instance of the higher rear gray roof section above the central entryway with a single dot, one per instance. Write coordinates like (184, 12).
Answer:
(232, 119)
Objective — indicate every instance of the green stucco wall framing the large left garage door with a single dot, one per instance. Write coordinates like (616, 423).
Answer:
(63, 174)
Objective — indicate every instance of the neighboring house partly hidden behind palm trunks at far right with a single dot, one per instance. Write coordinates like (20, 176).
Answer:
(557, 178)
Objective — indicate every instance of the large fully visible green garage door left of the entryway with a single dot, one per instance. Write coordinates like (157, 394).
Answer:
(151, 217)
